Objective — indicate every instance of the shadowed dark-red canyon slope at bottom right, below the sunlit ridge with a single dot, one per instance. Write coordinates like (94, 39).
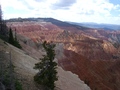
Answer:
(97, 74)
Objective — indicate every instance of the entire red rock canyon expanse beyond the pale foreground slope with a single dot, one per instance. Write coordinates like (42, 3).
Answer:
(94, 55)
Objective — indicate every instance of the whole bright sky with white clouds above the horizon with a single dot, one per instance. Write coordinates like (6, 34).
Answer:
(99, 11)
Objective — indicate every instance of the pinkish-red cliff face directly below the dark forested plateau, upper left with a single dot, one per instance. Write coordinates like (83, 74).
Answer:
(35, 30)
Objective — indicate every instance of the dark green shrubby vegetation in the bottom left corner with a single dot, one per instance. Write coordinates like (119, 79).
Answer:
(7, 77)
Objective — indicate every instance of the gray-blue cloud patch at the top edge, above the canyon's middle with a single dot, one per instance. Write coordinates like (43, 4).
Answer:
(63, 4)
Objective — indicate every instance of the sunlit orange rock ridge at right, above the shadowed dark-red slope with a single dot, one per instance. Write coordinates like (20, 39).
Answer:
(93, 49)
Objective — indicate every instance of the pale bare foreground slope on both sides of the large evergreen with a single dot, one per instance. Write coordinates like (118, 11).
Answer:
(24, 71)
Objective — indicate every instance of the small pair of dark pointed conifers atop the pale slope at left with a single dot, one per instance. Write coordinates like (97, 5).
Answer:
(13, 40)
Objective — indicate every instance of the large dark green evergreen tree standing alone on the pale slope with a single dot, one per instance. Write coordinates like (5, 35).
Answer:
(47, 74)
